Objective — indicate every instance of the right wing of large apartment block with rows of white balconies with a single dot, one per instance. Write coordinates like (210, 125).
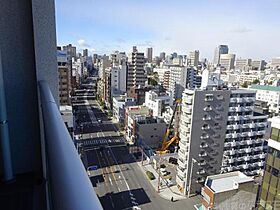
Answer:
(245, 144)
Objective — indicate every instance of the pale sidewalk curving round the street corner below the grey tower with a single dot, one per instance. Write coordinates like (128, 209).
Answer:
(165, 191)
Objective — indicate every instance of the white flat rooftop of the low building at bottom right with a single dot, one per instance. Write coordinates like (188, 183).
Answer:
(227, 182)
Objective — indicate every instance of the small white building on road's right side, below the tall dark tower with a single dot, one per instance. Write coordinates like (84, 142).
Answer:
(119, 104)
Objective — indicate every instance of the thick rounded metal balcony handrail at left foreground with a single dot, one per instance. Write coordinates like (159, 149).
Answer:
(70, 186)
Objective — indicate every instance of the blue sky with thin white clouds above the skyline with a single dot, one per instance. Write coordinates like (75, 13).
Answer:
(251, 28)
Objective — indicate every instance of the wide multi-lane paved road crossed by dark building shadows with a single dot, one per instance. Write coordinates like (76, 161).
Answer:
(118, 181)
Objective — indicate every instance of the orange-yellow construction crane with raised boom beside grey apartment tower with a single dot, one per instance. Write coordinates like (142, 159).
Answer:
(166, 143)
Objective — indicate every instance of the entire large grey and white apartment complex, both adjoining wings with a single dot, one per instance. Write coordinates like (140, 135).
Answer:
(219, 133)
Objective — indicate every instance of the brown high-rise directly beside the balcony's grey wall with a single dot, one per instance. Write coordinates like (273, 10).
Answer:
(64, 73)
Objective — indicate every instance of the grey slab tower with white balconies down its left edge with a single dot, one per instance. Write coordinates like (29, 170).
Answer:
(202, 131)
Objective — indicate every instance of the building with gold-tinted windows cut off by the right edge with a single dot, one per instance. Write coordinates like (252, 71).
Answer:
(269, 194)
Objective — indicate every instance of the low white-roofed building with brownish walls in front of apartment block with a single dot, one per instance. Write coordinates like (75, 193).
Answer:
(229, 191)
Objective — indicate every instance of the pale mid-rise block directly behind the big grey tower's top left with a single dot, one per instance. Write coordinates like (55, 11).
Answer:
(181, 78)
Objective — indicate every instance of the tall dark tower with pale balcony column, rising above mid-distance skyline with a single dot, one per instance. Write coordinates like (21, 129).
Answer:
(135, 69)
